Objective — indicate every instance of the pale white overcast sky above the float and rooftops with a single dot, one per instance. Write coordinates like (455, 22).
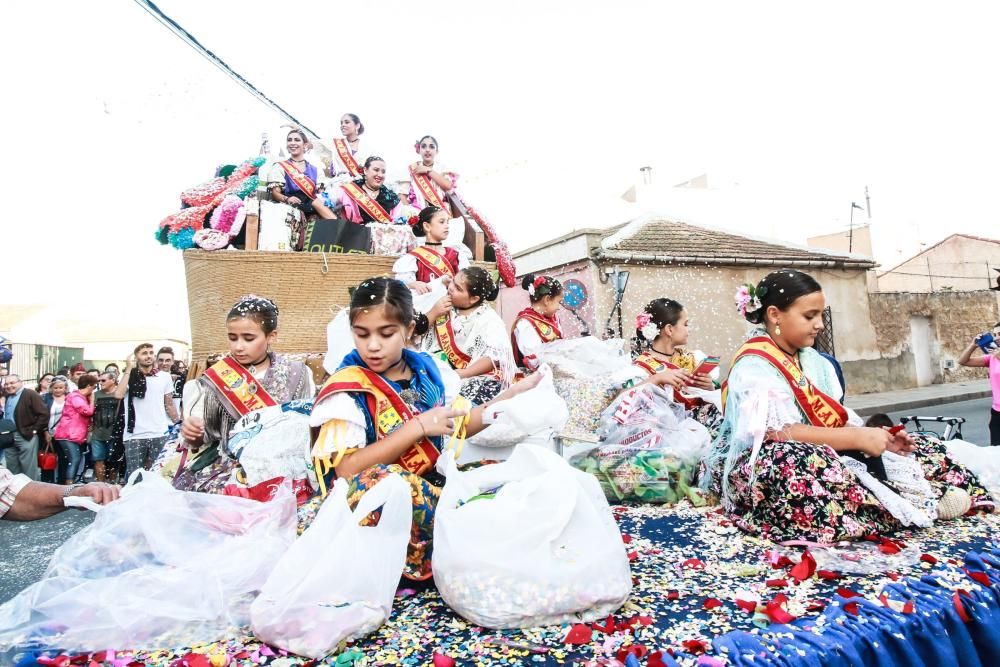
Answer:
(547, 110)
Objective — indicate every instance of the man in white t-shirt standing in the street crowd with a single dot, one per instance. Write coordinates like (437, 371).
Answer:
(149, 408)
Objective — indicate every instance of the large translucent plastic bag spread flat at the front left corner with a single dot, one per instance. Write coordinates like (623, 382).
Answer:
(157, 568)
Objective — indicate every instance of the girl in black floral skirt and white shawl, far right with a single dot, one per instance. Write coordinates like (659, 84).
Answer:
(783, 461)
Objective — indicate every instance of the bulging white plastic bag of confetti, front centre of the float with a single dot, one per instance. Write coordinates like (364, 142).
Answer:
(527, 542)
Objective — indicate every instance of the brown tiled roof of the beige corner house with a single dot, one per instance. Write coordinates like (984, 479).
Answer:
(661, 239)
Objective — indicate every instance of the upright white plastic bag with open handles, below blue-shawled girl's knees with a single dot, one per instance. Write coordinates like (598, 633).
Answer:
(338, 580)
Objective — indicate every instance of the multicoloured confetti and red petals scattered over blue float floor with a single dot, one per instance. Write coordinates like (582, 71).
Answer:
(696, 577)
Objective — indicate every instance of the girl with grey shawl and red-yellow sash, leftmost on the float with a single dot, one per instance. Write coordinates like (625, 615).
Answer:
(250, 378)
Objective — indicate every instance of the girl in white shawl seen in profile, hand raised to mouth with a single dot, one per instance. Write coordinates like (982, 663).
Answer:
(471, 335)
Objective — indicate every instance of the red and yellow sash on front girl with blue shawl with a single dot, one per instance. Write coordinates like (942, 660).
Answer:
(387, 410)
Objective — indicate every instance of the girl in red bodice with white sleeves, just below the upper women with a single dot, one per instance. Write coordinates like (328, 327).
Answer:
(432, 259)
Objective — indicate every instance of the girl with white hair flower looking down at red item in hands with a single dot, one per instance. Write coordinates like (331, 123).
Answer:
(662, 331)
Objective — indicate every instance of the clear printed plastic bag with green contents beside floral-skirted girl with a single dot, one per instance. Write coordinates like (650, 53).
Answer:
(649, 450)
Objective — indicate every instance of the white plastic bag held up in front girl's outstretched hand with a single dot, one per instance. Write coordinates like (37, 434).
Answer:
(514, 420)
